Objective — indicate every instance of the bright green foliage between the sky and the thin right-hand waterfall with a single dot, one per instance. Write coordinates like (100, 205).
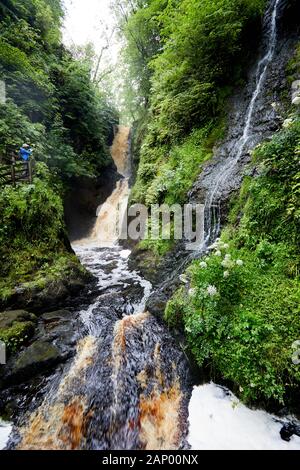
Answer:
(187, 56)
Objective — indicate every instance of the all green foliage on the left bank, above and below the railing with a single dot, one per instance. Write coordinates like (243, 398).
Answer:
(53, 104)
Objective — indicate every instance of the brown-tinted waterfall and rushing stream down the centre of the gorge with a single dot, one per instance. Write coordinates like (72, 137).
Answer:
(127, 386)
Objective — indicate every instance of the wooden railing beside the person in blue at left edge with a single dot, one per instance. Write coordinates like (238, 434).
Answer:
(16, 171)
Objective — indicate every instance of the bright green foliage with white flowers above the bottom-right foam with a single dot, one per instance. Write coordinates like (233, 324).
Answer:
(246, 327)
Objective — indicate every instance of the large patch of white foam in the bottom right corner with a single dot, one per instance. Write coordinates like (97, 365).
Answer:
(218, 420)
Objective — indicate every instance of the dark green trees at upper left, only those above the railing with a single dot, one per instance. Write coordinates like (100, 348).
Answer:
(51, 99)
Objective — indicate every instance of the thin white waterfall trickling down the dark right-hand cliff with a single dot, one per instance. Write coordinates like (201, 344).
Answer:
(243, 144)
